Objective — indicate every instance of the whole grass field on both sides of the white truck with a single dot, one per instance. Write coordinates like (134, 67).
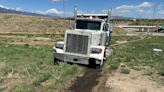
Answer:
(30, 67)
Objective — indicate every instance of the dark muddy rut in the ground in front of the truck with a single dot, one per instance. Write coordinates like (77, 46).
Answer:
(86, 82)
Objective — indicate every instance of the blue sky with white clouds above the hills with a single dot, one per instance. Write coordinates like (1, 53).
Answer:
(126, 8)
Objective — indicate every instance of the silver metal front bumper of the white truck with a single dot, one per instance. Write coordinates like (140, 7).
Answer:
(71, 58)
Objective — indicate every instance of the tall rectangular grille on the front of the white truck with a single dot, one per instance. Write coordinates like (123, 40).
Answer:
(77, 44)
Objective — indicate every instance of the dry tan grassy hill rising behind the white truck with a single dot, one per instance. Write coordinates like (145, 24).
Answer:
(30, 24)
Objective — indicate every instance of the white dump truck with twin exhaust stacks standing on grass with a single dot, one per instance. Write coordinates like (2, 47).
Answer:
(88, 42)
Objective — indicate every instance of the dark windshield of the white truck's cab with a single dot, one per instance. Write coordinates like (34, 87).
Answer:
(88, 25)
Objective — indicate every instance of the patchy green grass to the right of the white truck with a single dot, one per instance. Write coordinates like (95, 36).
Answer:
(138, 56)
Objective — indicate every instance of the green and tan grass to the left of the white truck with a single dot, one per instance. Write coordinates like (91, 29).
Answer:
(34, 66)
